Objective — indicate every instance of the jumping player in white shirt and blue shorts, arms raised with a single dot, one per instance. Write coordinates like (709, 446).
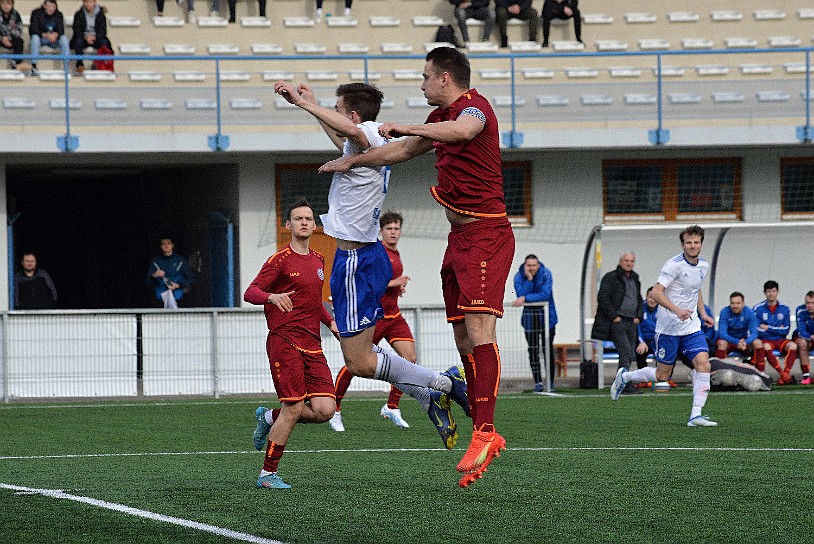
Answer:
(361, 269)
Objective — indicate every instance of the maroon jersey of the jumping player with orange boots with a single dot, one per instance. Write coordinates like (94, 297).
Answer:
(470, 174)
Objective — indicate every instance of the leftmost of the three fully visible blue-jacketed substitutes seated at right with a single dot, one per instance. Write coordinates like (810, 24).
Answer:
(737, 332)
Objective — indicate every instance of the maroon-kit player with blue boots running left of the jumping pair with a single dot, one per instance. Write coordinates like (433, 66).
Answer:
(289, 286)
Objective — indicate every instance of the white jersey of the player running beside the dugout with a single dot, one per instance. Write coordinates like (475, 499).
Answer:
(682, 282)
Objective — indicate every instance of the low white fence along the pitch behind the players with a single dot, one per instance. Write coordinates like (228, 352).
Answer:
(155, 353)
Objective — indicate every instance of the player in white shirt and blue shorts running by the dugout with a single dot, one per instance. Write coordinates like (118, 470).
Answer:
(678, 326)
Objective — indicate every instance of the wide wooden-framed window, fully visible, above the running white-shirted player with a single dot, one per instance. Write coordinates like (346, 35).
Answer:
(672, 190)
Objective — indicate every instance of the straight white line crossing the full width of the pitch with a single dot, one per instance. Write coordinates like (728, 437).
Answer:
(397, 450)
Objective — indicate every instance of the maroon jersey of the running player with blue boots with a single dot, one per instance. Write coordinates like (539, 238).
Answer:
(287, 271)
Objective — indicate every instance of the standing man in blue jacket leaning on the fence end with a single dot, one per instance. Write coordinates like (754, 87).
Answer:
(535, 283)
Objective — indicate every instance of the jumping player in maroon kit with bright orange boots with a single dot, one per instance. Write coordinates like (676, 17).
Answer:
(463, 132)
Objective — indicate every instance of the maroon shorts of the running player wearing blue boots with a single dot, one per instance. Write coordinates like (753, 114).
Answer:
(298, 374)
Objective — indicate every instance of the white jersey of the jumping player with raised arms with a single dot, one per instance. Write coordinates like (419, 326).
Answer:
(356, 197)
